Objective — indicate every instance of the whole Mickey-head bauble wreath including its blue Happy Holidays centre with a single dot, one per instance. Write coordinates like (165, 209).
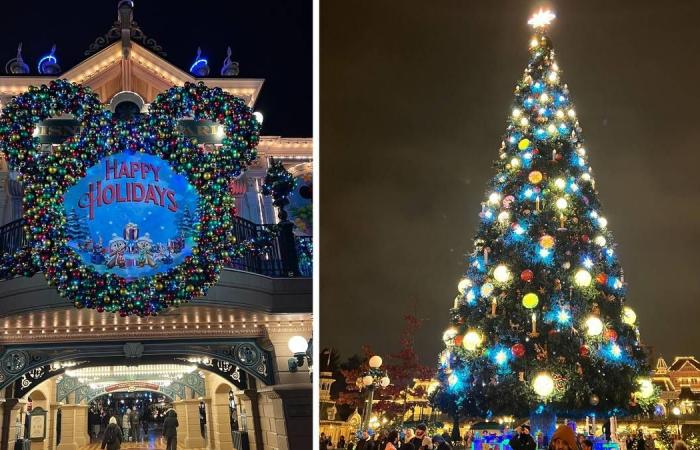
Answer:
(145, 163)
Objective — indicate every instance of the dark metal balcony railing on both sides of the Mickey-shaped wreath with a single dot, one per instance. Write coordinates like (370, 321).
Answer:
(288, 256)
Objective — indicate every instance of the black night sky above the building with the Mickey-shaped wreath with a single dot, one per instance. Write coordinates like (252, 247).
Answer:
(271, 39)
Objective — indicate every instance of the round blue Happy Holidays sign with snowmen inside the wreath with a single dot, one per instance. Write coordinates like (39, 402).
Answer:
(132, 215)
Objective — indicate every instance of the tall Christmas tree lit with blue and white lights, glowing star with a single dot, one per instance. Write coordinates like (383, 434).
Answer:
(540, 322)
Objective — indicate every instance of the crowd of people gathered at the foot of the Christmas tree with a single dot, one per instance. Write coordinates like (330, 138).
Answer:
(564, 438)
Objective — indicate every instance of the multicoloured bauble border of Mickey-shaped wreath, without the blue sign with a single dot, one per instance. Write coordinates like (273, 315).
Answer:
(48, 177)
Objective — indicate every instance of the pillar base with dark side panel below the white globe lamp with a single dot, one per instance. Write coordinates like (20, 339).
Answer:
(286, 416)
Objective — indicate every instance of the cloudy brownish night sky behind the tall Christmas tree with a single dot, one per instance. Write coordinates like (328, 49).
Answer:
(414, 98)
